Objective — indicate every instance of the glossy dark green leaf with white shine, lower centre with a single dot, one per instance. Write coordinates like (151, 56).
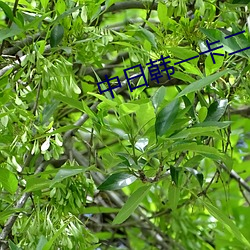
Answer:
(117, 181)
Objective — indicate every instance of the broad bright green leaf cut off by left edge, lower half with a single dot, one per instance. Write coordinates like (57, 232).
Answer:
(8, 180)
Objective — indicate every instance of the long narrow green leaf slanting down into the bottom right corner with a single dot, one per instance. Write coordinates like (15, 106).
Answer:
(227, 223)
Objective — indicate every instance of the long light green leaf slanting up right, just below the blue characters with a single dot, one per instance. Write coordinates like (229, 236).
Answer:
(197, 85)
